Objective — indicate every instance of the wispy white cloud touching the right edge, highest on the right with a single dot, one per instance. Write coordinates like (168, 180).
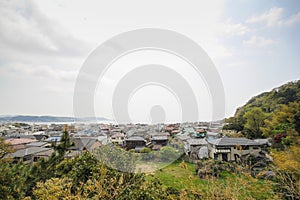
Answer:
(274, 17)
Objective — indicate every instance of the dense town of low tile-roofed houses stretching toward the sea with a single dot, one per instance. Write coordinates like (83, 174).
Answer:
(200, 140)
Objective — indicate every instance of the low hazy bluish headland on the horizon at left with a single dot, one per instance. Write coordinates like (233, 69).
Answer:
(28, 118)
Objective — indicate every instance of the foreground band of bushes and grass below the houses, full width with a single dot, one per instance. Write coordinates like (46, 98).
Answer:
(86, 177)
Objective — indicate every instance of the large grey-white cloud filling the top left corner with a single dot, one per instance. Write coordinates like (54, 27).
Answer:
(27, 29)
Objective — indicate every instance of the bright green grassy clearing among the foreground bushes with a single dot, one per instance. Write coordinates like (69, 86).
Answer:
(181, 177)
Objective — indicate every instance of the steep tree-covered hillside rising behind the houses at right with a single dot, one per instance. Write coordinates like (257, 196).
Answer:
(269, 114)
